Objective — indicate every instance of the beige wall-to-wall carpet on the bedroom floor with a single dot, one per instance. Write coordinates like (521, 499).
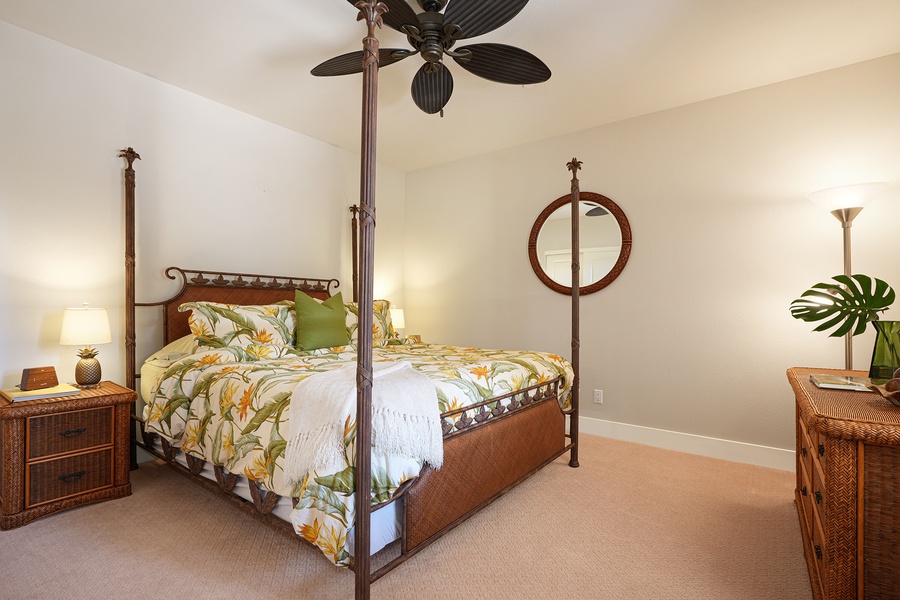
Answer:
(633, 522)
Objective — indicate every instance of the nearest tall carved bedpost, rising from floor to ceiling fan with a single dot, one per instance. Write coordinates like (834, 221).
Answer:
(370, 11)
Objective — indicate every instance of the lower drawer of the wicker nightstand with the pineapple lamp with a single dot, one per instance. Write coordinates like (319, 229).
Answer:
(54, 479)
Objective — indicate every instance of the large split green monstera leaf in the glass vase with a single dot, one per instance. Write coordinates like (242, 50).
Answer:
(848, 305)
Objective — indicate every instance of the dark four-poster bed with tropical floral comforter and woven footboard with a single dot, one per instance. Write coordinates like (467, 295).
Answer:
(489, 445)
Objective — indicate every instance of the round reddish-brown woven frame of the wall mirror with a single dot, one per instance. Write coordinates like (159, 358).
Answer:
(624, 251)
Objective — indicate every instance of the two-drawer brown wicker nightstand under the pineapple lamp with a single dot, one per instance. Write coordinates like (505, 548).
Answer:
(60, 453)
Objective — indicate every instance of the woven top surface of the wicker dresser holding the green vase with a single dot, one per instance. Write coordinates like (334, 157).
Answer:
(864, 416)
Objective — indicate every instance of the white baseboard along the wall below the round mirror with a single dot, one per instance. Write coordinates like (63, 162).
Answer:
(753, 454)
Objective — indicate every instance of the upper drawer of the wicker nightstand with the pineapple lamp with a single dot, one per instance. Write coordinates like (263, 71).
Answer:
(69, 431)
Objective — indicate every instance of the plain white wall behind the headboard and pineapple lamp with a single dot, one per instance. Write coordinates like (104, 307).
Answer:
(216, 189)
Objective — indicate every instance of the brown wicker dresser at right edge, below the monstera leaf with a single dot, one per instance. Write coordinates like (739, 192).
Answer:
(848, 489)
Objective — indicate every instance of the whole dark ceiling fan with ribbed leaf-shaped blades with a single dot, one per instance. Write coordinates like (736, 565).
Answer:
(433, 35)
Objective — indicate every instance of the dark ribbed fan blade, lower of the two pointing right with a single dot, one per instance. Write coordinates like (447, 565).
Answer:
(504, 64)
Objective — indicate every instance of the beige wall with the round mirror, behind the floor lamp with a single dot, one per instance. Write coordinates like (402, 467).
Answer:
(696, 334)
